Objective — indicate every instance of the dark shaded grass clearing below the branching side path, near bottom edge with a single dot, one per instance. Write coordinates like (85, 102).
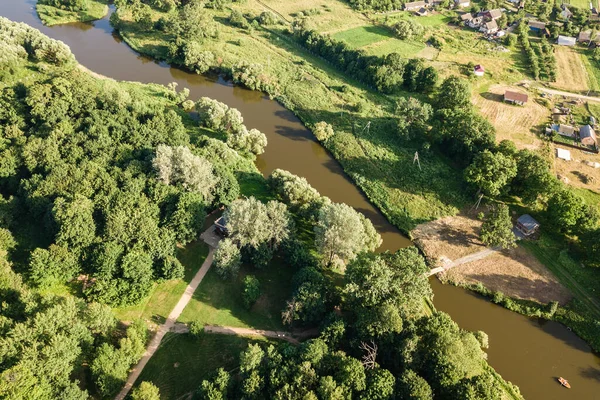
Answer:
(183, 361)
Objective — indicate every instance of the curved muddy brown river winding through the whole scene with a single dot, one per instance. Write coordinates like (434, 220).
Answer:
(528, 352)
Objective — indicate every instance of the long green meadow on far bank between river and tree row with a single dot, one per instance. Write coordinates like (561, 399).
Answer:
(380, 163)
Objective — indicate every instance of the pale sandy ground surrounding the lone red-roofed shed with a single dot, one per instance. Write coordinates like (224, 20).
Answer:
(516, 123)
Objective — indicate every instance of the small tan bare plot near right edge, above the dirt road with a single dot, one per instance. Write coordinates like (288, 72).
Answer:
(571, 73)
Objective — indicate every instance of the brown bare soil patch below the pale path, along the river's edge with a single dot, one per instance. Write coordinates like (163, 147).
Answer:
(516, 273)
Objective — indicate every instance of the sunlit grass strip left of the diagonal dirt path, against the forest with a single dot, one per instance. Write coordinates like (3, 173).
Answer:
(164, 297)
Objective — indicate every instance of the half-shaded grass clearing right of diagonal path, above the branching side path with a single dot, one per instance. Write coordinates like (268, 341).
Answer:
(219, 302)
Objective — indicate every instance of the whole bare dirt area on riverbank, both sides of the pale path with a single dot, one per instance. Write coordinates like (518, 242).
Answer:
(514, 272)
